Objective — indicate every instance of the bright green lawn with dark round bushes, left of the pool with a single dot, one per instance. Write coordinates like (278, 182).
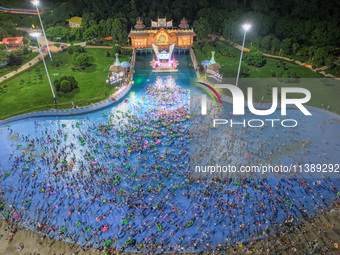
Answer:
(30, 90)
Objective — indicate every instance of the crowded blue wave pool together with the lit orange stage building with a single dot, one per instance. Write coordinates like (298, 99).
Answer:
(120, 177)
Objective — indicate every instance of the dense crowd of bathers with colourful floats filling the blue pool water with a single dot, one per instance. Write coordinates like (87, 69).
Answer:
(121, 178)
